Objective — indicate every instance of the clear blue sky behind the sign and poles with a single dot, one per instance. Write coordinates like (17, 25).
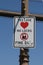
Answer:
(8, 54)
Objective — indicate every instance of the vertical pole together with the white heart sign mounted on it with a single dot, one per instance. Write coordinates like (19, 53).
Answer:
(24, 33)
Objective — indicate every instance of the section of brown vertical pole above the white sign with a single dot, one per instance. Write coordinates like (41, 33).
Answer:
(24, 7)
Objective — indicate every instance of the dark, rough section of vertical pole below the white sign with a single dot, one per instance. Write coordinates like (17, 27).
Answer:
(24, 57)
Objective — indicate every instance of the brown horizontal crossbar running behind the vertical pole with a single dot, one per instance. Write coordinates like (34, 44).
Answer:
(6, 13)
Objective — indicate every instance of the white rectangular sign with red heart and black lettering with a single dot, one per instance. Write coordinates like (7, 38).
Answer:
(24, 32)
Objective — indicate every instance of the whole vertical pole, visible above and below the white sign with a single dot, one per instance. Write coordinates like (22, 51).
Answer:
(24, 57)
